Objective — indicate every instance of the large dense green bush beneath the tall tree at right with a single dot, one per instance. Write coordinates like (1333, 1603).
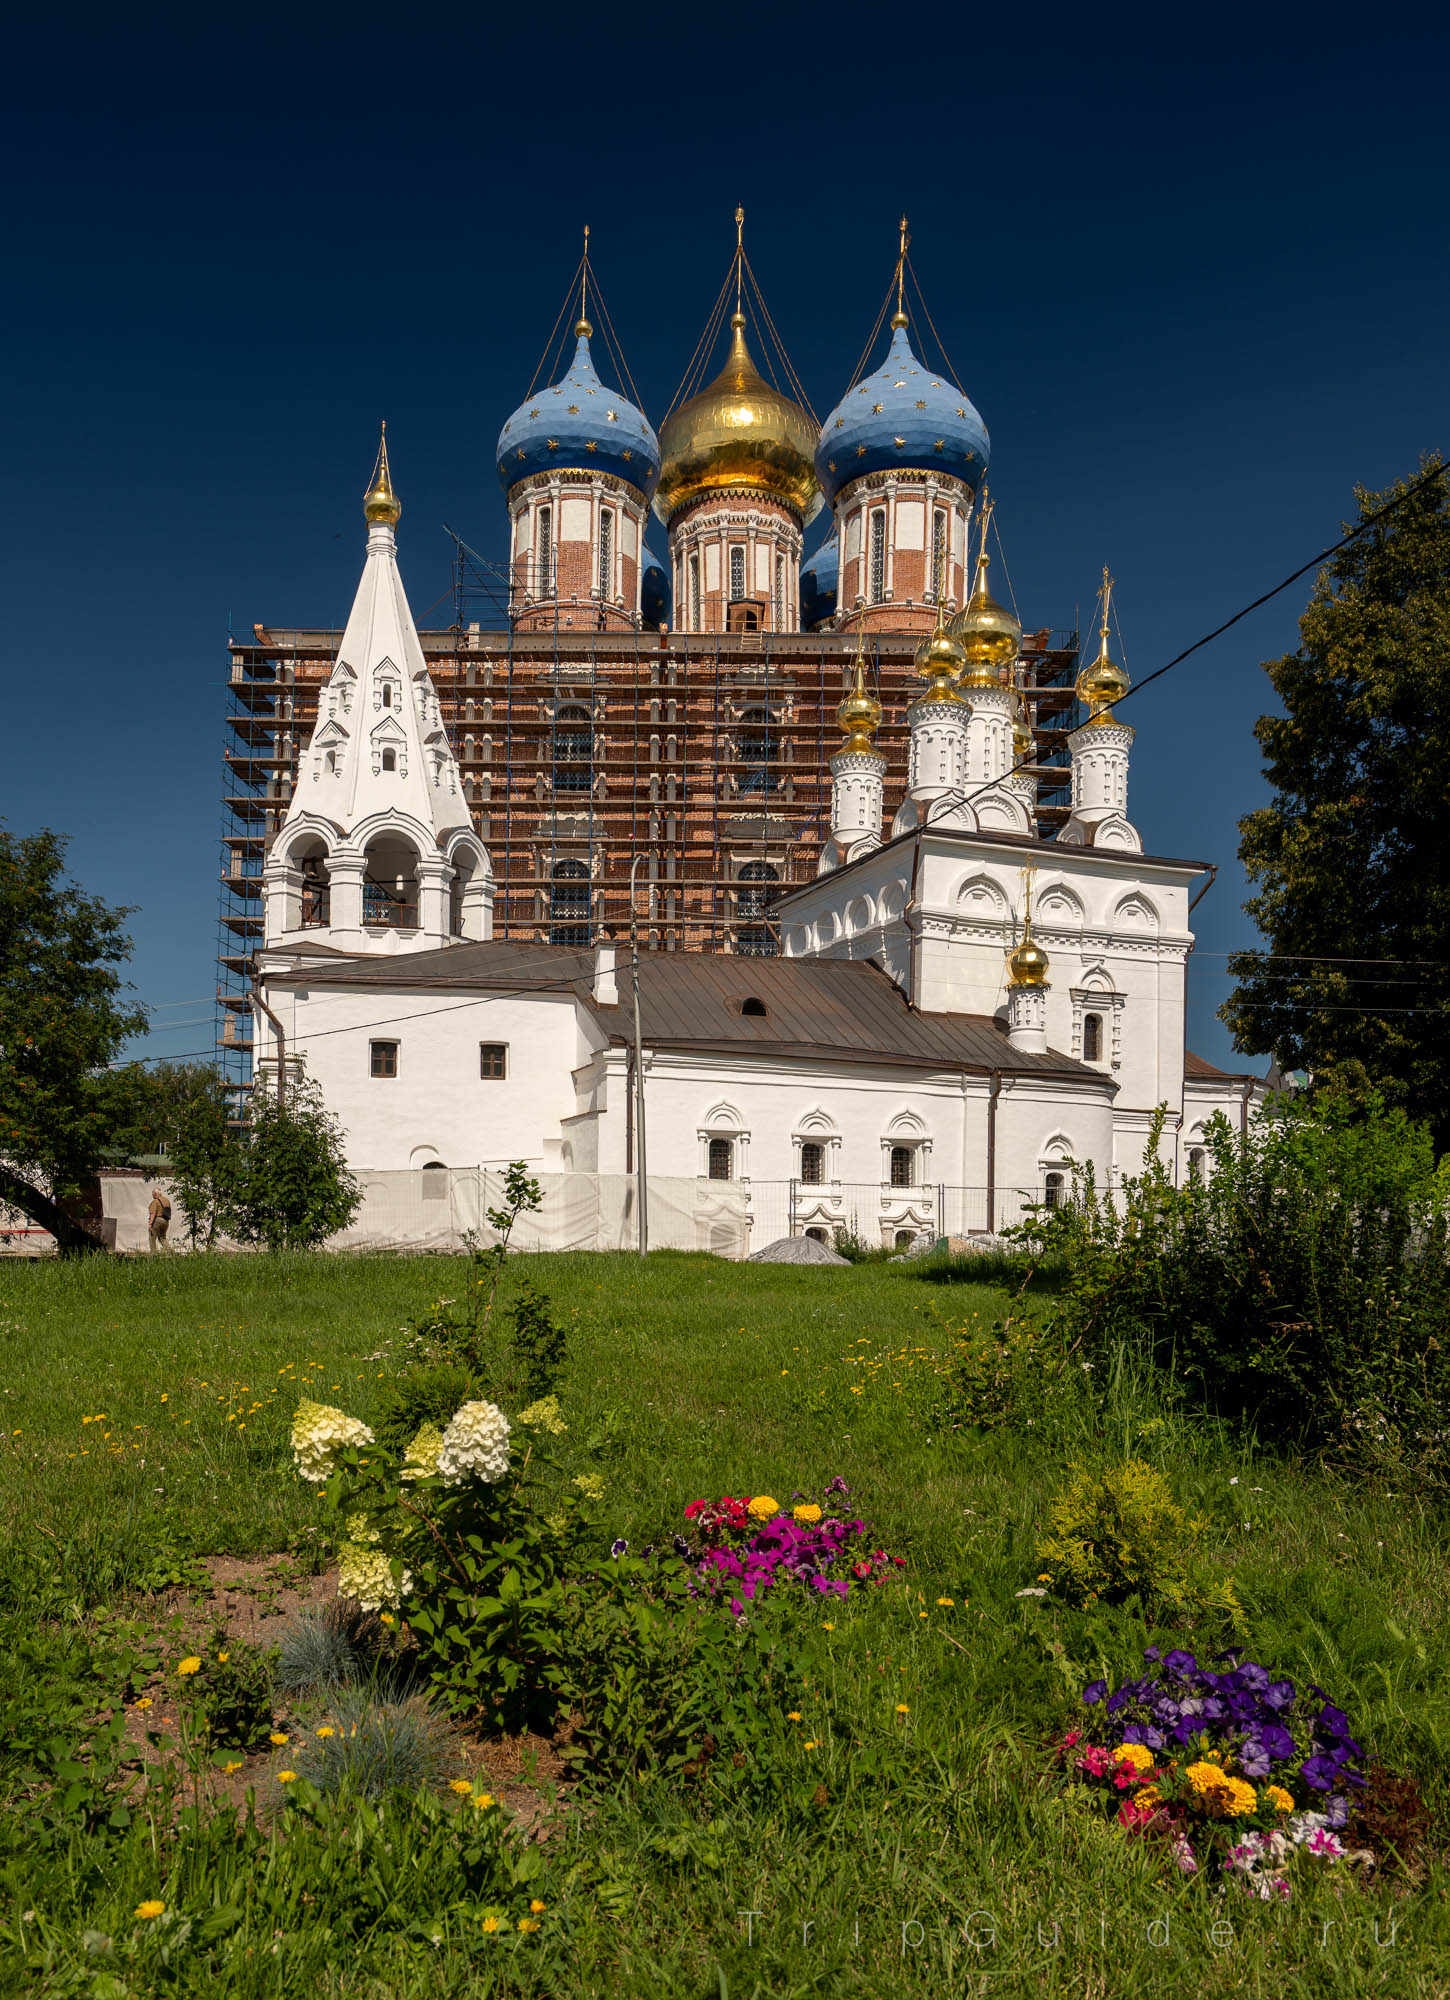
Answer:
(1303, 1285)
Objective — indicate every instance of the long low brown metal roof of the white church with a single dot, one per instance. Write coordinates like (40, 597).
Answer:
(833, 1009)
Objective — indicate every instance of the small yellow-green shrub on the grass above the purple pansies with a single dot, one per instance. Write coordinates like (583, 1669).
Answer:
(1121, 1535)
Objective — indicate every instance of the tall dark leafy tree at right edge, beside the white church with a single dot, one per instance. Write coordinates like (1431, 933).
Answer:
(1355, 895)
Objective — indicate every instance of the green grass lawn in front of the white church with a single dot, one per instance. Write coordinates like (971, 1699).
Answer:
(147, 1409)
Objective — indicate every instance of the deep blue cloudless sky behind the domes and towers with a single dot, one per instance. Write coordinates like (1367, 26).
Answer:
(1191, 269)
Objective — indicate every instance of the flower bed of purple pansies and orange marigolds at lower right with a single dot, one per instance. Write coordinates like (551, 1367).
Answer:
(1237, 1771)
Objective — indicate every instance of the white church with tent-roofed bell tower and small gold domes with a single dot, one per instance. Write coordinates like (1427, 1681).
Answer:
(959, 1013)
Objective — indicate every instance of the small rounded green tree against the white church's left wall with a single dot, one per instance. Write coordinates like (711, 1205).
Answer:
(293, 1187)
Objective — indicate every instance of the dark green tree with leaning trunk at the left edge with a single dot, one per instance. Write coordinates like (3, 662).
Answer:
(63, 1021)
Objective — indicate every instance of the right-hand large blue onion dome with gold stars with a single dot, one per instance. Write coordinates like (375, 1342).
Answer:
(903, 417)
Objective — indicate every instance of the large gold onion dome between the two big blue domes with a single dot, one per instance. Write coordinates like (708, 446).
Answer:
(739, 437)
